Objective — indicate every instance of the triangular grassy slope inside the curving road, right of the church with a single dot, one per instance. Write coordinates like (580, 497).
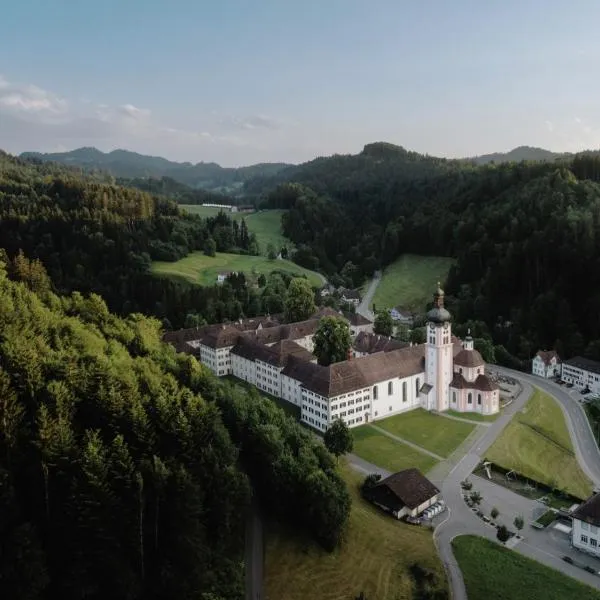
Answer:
(536, 444)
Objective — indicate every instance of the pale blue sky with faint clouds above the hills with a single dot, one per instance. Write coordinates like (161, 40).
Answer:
(239, 82)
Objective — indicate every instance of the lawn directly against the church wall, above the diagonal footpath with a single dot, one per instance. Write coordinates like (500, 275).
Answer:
(432, 432)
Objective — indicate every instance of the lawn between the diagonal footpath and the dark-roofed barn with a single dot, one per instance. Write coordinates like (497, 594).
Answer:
(379, 449)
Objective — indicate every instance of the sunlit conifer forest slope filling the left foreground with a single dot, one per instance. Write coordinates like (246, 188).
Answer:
(126, 470)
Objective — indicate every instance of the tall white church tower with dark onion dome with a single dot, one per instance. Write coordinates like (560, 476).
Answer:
(438, 354)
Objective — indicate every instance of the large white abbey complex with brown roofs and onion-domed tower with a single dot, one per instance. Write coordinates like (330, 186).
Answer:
(442, 374)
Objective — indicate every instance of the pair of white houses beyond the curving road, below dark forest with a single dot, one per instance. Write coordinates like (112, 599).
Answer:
(582, 373)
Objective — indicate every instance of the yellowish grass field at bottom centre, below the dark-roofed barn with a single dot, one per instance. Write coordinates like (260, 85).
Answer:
(374, 558)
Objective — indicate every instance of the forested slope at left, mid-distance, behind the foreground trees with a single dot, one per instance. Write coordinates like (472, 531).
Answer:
(95, 236)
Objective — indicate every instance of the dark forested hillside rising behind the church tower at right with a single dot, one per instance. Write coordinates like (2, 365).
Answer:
(526, 236)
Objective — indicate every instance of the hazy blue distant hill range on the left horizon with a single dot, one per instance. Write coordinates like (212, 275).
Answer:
(123, 163)
